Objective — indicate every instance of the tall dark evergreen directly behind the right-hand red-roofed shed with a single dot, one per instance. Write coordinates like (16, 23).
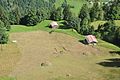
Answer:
(84, 16)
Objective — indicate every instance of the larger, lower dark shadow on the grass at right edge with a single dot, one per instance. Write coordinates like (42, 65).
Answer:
(115, 62)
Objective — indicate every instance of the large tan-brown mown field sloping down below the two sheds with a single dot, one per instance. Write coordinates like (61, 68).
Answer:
(68, 58)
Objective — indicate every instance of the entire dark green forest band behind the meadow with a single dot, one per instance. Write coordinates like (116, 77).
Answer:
(31, 12)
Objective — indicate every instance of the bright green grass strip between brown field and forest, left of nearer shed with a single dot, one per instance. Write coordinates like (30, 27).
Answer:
(45, 27)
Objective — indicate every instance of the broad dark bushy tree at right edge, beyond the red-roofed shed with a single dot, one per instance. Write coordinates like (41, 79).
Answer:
(108, 32)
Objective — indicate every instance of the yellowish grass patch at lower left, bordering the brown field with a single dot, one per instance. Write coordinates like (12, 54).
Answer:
(9, 56)
